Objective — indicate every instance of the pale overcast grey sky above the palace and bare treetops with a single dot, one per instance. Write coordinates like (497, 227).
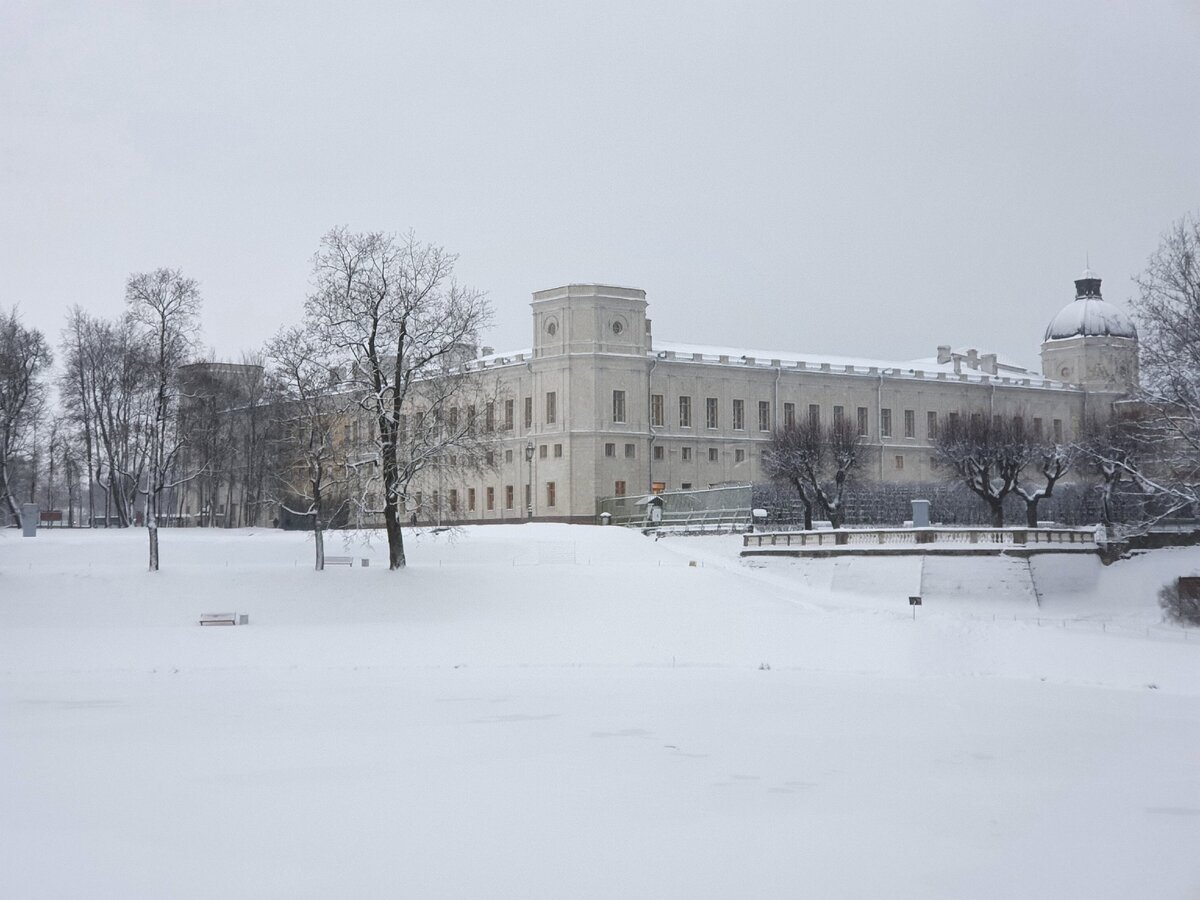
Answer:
(867, 179)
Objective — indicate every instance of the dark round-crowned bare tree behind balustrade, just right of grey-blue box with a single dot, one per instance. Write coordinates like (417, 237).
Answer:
(986, 454)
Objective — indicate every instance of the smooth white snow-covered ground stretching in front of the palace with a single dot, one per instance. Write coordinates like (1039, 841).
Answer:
(572, 712)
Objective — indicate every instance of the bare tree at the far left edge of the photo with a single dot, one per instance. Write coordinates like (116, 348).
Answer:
(25, 359)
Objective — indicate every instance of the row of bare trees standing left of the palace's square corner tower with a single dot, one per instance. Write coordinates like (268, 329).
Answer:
(335, 417)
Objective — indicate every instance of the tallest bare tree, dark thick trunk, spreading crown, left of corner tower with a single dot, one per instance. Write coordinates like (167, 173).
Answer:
(389, 311)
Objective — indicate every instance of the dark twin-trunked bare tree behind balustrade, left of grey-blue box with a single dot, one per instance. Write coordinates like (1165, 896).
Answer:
(819, 463)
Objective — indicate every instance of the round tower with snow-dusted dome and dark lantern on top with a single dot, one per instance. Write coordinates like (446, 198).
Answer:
(1091, 343)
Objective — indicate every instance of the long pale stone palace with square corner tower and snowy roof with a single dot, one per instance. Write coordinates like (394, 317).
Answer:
(598, 407)
